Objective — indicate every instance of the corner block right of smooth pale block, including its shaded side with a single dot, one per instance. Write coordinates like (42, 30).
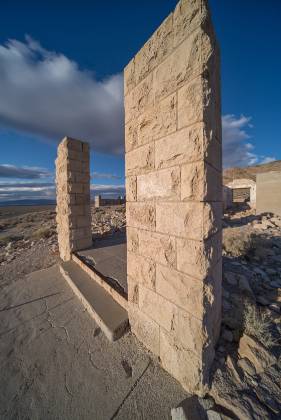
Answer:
(200, 182)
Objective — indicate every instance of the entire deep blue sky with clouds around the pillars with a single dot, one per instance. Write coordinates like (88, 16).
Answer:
(61, 69)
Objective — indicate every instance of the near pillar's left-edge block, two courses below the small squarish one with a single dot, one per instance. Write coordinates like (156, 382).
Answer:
(141, 270)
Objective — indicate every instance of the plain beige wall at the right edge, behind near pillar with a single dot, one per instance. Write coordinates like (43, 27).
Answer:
(269, 193)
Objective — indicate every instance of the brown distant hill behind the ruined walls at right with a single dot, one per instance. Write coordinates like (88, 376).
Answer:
(250, 172)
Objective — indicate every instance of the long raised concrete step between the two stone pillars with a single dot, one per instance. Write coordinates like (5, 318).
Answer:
(109, 315)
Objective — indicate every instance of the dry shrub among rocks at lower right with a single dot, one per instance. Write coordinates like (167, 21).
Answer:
(258, 325)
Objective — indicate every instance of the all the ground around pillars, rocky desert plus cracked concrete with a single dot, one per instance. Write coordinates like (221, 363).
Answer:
(57, 364)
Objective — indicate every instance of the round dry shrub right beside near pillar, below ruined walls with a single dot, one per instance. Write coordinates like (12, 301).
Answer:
(237, 242)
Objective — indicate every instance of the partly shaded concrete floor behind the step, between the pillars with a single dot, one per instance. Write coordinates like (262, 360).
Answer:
(108, 256)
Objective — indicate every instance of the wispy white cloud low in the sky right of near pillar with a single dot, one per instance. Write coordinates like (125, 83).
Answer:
(237, 149)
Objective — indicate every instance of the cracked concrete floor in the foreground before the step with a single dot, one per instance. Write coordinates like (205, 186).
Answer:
(56, 364)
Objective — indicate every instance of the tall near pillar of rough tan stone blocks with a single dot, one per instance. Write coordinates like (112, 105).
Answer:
(174, 193)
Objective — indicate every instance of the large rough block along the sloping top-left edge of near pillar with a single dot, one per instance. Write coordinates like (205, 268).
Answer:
(158, 47)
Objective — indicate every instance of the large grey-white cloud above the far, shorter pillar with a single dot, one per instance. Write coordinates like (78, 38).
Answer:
(47, 94)
